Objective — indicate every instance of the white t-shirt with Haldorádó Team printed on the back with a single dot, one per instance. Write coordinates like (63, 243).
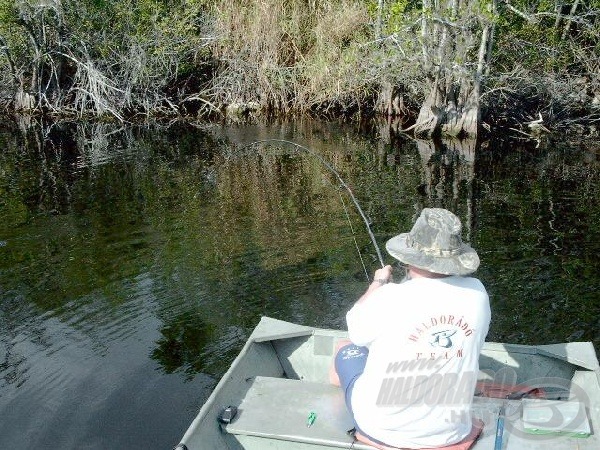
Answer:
(424, 338)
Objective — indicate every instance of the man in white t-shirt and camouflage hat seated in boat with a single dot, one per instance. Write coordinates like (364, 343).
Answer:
(410, 371)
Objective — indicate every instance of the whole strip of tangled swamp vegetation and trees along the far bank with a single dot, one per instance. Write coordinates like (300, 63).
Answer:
(452, 67)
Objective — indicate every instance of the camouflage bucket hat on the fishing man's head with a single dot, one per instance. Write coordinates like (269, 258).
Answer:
(435, 244)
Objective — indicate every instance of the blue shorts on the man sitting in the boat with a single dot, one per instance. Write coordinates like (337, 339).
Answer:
(350, 363)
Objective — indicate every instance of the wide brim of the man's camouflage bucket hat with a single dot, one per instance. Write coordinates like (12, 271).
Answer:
(466, 261)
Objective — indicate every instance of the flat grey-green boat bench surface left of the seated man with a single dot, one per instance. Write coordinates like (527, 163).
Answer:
(278, 409)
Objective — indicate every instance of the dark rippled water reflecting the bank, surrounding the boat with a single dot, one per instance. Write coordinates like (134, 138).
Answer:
(134, 262)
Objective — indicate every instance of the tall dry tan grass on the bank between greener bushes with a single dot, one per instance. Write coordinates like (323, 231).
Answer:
(285, 55)
